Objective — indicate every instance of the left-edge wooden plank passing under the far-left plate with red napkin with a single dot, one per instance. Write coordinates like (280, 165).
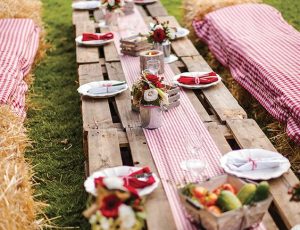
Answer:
(86, 54)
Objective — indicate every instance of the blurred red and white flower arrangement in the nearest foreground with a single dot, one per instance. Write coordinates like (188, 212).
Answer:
(117, 206)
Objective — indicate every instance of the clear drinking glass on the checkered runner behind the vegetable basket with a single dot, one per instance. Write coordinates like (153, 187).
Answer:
(195, 161)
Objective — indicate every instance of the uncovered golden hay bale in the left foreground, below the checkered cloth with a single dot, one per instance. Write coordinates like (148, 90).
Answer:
(18, 208)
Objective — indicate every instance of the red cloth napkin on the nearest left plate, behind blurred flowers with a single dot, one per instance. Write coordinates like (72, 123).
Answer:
(134, 182)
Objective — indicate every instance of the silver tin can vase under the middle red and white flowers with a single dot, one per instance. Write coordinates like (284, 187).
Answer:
(151, 117)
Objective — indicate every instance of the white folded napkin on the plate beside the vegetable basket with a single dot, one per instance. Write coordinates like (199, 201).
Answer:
(240, 163)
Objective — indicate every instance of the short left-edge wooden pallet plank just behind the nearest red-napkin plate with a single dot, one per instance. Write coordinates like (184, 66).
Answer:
(103, 149)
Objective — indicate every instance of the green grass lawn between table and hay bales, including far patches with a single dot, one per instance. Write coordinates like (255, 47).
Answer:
(54, 119)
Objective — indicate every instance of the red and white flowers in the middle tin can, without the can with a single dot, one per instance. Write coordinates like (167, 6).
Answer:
(149, 91)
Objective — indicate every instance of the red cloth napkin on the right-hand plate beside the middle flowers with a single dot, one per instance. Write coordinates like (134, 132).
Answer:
(198, 80)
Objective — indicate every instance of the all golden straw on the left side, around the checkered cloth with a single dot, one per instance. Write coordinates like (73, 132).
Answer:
(18, 208)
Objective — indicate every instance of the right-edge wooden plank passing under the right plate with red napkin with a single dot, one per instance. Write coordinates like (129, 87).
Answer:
(219, 97)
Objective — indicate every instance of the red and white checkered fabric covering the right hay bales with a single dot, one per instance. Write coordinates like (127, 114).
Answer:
(262, 52)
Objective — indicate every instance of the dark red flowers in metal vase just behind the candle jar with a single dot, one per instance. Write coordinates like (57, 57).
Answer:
(161, 35)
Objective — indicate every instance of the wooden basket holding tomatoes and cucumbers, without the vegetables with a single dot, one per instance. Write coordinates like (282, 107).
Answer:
(242, 218)
